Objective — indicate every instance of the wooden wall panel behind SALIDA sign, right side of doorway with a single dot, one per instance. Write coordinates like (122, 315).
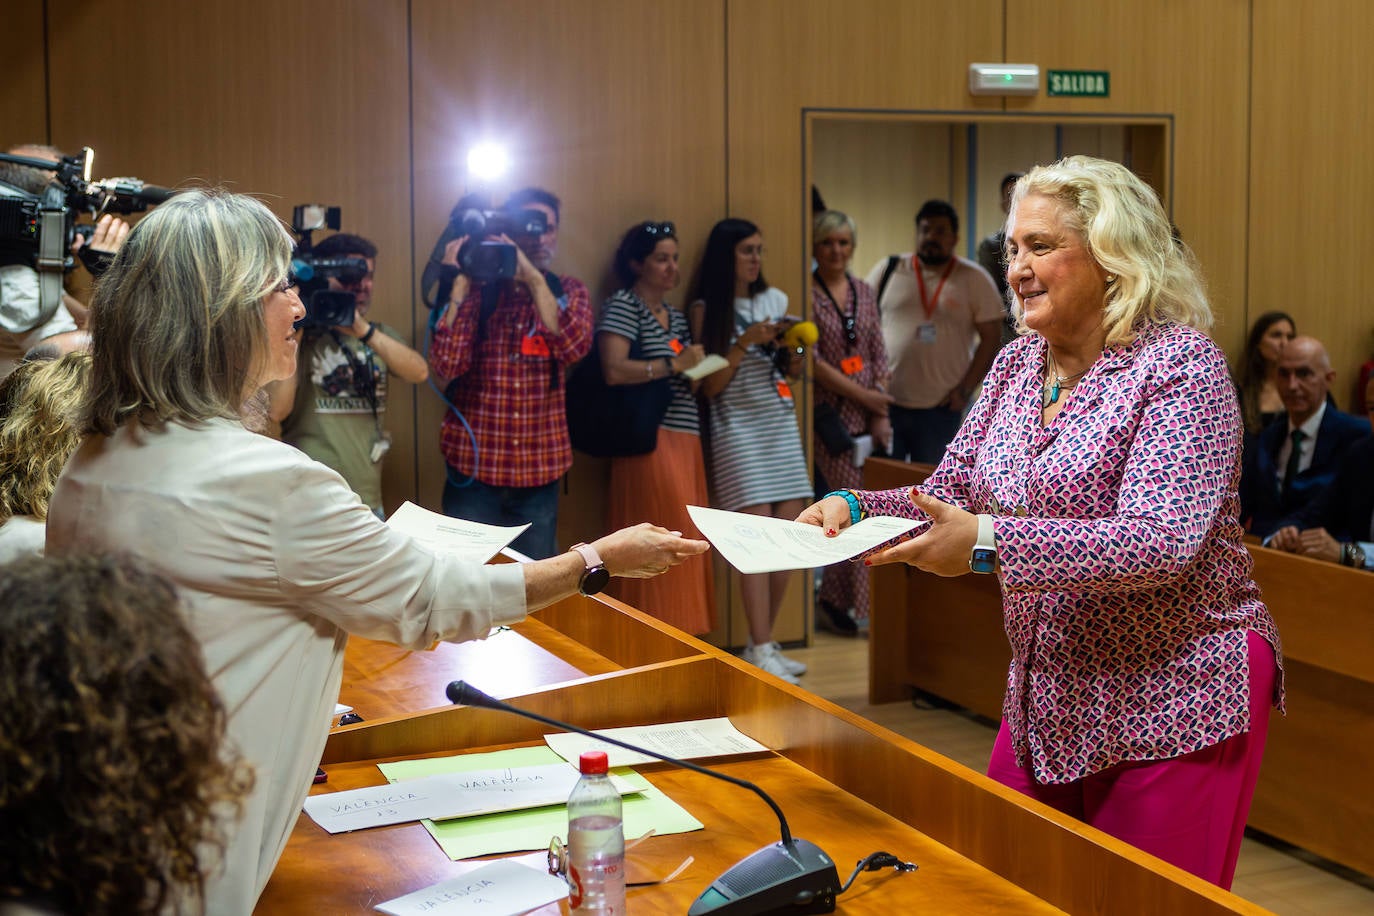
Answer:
(1178, 58)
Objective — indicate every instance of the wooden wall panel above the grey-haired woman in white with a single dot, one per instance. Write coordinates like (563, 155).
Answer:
(295, 102)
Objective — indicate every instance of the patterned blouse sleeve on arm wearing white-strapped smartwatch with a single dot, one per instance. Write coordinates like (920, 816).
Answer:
(1180, 470)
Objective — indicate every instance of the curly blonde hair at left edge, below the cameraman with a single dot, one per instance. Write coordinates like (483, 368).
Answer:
(39, 431)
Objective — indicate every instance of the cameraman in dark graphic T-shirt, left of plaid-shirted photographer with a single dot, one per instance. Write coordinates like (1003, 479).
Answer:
(333, 409)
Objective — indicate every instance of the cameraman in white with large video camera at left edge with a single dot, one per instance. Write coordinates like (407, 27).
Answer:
(41, 194)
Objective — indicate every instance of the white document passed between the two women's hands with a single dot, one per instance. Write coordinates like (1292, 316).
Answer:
(763, 545)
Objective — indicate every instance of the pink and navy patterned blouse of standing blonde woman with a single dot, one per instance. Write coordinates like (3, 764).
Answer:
(1127, 594)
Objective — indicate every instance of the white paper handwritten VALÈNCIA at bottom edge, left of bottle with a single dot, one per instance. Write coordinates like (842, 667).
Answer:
(499, 889)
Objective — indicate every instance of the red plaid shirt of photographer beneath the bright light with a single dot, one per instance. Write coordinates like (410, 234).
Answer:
(513, 399)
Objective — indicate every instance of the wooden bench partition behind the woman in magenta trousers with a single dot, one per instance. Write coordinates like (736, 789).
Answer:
(945, 637)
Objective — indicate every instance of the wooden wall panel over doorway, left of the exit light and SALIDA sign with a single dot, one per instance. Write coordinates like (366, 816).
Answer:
(791, 56)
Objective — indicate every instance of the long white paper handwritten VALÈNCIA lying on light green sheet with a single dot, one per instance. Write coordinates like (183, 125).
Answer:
(449, 796)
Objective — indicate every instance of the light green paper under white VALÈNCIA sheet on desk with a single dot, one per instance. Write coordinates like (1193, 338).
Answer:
(532, 829)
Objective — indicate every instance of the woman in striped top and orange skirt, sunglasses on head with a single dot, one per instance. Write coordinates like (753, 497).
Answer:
(642, 339)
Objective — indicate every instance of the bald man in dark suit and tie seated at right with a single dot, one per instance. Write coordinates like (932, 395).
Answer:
(1294, 459)
